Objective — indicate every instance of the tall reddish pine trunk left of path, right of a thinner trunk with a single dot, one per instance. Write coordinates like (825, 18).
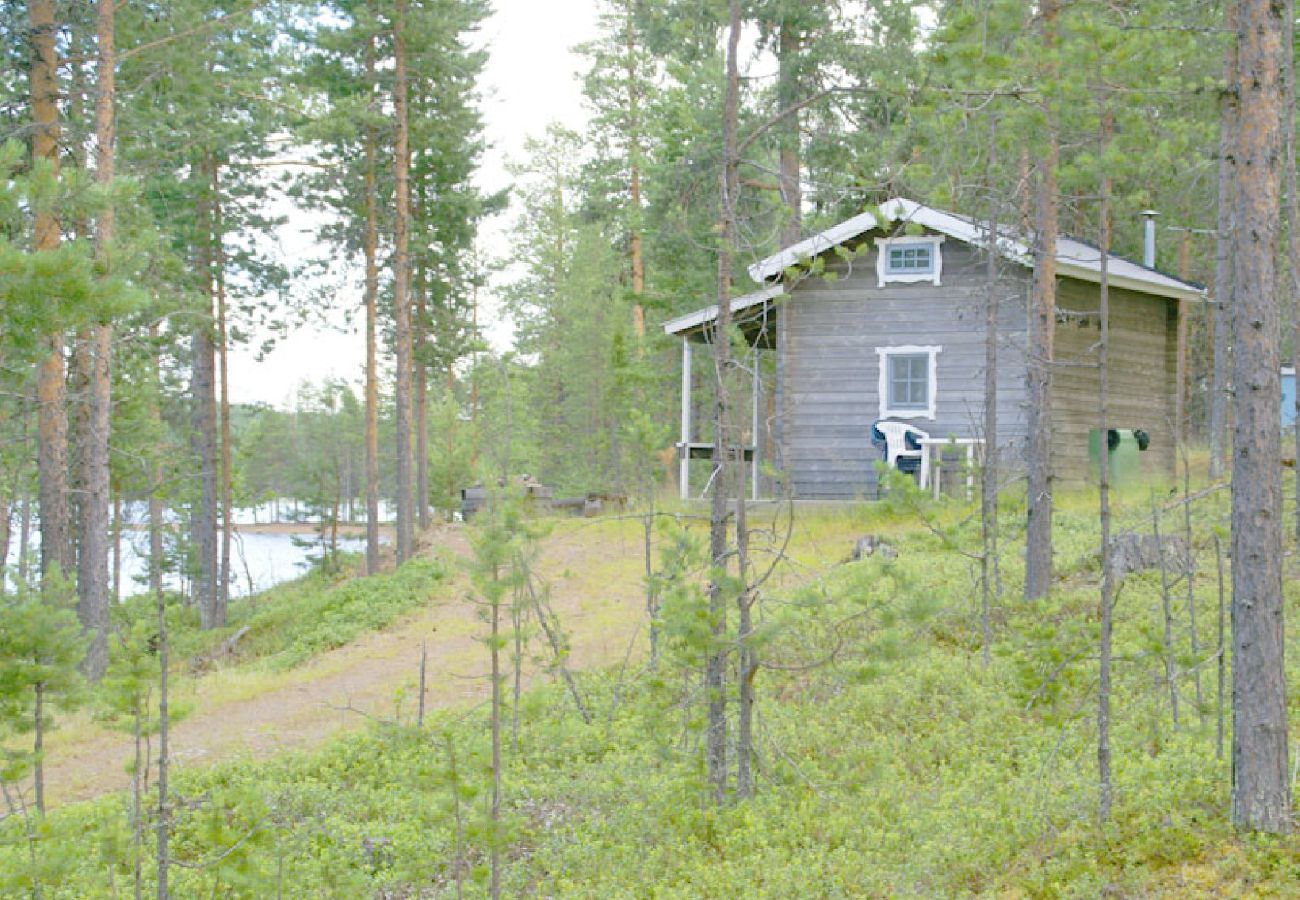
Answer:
(402, 285)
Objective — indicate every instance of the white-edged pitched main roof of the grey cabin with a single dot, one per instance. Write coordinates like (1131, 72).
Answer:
(1076, 259)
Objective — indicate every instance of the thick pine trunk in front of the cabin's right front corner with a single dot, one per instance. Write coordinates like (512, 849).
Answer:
(1038, 544)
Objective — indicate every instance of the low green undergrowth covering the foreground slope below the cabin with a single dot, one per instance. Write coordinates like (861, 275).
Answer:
(900, 768)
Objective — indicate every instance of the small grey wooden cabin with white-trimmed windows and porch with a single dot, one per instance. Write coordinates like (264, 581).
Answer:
(883, 317)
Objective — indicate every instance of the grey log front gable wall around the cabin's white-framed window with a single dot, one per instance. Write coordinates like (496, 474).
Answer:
(837, 327)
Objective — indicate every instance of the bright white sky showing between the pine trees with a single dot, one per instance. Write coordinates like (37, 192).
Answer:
(531, 81)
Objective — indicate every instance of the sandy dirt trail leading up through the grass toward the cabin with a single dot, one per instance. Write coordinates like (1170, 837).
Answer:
(597, 592)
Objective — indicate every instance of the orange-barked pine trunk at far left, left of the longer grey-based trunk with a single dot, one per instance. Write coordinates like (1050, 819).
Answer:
(53, 413)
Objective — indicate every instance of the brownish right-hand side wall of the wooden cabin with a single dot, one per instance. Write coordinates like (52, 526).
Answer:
(1142, 380)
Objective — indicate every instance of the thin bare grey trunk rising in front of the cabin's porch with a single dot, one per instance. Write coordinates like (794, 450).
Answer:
(716, 668)
